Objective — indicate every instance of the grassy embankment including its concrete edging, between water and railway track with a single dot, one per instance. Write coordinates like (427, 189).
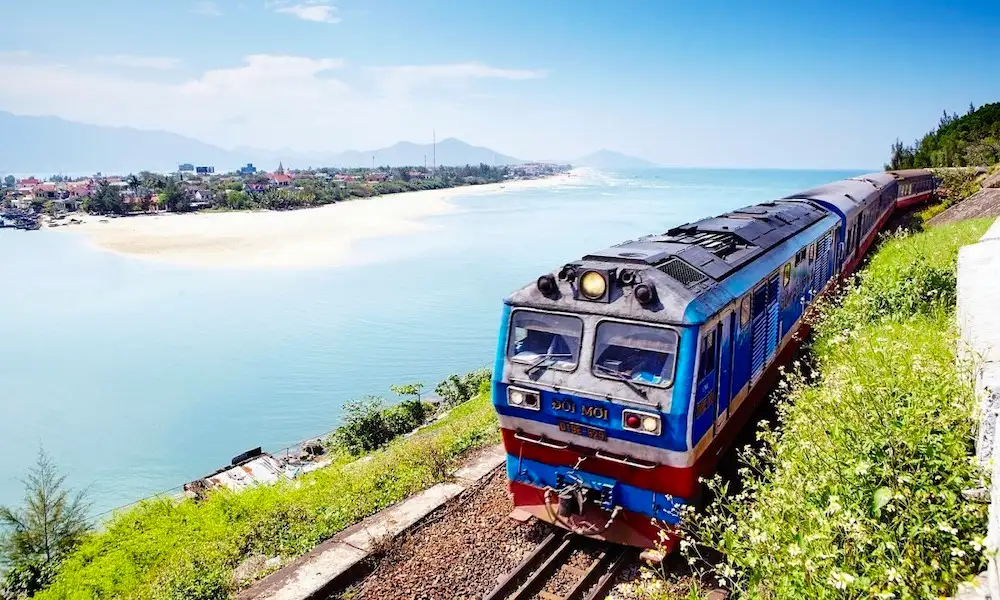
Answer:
(213, 549)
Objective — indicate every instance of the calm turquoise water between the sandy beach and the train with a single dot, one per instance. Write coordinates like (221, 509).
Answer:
(138, 377)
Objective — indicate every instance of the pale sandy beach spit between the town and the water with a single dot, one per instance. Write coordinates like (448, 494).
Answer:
(305, 238)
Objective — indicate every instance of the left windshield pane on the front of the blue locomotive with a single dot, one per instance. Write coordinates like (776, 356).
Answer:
(538, 336)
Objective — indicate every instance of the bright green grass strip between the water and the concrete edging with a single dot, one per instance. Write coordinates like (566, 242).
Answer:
(168, 549)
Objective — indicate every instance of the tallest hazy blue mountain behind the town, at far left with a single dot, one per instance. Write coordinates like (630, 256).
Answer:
(49, 145)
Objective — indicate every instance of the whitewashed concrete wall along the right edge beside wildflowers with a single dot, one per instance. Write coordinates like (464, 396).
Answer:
(979, 347)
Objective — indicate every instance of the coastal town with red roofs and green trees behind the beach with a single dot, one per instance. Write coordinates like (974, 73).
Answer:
(30, 202)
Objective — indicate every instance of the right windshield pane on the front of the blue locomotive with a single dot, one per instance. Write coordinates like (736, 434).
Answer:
(636, 352)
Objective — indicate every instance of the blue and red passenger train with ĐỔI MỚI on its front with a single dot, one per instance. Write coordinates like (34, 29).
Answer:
(621, 378)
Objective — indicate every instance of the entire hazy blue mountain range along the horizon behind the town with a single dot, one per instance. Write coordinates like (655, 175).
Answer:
(48, 145)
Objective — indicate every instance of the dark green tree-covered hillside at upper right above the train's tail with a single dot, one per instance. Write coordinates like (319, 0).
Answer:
(970, 140)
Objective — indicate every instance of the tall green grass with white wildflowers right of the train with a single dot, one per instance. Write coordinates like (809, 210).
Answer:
(856, 492)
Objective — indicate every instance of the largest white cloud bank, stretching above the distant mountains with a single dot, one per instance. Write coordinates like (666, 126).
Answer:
(266, 101)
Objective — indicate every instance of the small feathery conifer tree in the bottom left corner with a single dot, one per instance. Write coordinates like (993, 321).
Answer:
(39, 534)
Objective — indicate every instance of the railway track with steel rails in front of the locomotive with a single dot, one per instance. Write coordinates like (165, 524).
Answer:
(563, 566)
